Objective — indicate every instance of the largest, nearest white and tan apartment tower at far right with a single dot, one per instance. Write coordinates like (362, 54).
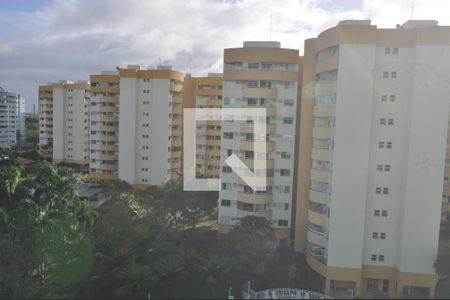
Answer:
(373, 134)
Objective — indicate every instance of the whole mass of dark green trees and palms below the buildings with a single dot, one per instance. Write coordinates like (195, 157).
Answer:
(155, 242)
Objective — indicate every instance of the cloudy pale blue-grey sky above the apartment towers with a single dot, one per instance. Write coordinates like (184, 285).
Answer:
(45, 41)
